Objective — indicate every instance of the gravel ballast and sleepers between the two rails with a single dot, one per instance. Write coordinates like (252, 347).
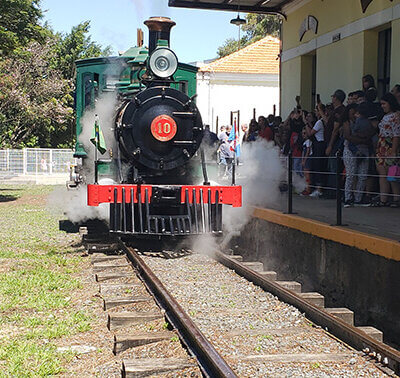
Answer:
(257, 334)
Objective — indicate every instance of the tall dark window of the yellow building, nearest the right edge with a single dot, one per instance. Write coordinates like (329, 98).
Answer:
(384, 58)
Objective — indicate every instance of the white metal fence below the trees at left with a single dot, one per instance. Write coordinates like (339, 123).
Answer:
(35, 162)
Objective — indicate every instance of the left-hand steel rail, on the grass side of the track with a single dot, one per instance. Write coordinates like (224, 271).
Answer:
(211, 363)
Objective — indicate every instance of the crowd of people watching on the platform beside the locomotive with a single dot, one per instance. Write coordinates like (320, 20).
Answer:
(362, 131)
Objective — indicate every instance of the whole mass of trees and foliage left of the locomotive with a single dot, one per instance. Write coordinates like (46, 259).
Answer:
(37, 73)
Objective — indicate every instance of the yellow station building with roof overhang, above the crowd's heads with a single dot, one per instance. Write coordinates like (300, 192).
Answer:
(327, 44)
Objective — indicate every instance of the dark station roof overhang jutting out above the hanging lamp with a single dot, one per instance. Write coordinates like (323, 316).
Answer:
(247, 6)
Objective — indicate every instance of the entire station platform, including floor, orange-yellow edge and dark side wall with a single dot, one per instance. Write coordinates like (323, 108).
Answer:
(354, 266)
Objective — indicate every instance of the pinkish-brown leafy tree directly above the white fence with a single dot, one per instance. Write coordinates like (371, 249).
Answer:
(34, 101)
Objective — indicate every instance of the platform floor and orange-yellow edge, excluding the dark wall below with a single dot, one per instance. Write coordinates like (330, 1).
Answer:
(376, 230)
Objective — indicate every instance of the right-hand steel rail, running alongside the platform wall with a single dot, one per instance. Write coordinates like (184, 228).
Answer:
(345, 332)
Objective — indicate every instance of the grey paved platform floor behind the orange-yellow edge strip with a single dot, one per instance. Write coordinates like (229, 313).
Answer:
(378, 221)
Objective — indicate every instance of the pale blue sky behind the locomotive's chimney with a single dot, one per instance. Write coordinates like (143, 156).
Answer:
(196, 36)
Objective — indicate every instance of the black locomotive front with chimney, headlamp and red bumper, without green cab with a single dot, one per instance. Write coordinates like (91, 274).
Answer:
(158, 132)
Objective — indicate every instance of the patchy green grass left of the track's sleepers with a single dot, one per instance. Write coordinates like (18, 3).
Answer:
(39, 280)
